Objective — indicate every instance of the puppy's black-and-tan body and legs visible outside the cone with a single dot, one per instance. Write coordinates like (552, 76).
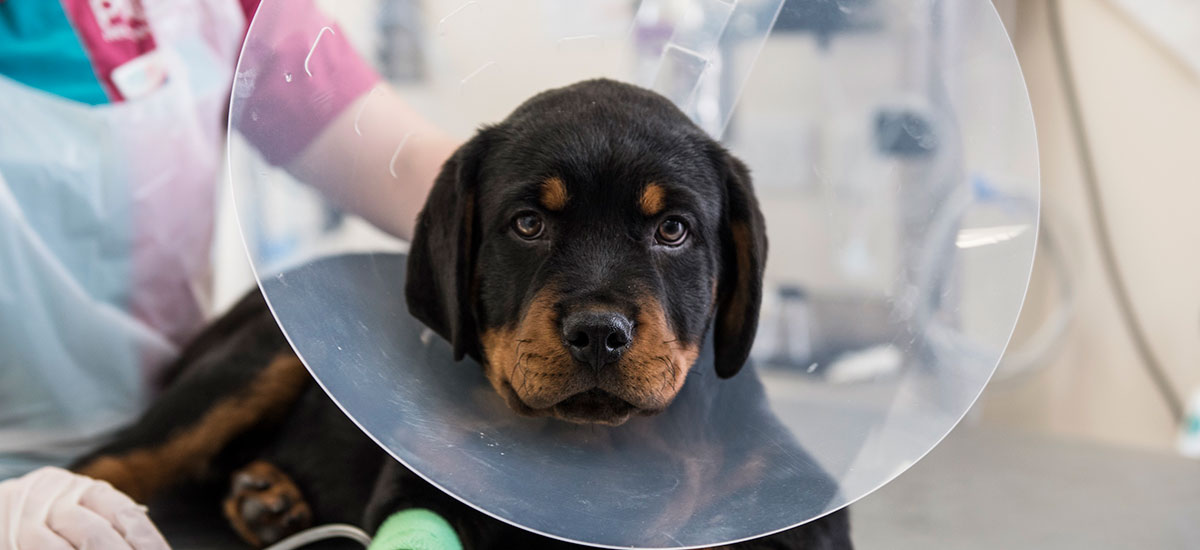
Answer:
(340, 475)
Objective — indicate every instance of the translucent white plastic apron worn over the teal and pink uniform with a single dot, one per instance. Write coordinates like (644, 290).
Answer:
(106, 220)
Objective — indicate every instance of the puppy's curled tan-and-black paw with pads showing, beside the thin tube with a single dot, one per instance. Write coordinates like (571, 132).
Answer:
(265, 505)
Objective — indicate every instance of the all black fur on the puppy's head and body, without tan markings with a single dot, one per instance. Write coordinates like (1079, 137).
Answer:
(605, 140)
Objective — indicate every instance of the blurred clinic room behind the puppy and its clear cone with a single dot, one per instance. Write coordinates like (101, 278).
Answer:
(896, 166)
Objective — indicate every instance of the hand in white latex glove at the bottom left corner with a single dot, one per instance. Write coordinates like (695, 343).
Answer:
(56, 510)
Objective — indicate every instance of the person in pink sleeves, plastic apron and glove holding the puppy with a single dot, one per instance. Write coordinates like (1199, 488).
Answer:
(112, 124)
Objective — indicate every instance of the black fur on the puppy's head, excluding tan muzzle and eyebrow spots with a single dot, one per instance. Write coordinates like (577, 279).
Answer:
(605, 141)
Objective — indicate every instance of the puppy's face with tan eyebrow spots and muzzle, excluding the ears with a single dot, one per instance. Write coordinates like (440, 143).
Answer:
(597, 267)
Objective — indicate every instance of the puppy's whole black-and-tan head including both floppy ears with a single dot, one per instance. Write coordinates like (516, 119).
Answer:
(583, 248)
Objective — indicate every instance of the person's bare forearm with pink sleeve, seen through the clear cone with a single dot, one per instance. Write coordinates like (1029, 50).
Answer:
(313, 106)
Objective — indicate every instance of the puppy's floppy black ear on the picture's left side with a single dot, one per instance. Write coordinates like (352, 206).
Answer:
(442, 259)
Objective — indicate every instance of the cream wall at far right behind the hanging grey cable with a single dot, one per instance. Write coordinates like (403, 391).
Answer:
(1143, 112)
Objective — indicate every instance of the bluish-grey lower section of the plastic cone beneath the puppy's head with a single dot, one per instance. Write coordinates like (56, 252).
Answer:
(718, 465)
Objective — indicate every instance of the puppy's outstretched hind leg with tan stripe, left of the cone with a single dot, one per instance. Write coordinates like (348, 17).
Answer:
(238, 375)
